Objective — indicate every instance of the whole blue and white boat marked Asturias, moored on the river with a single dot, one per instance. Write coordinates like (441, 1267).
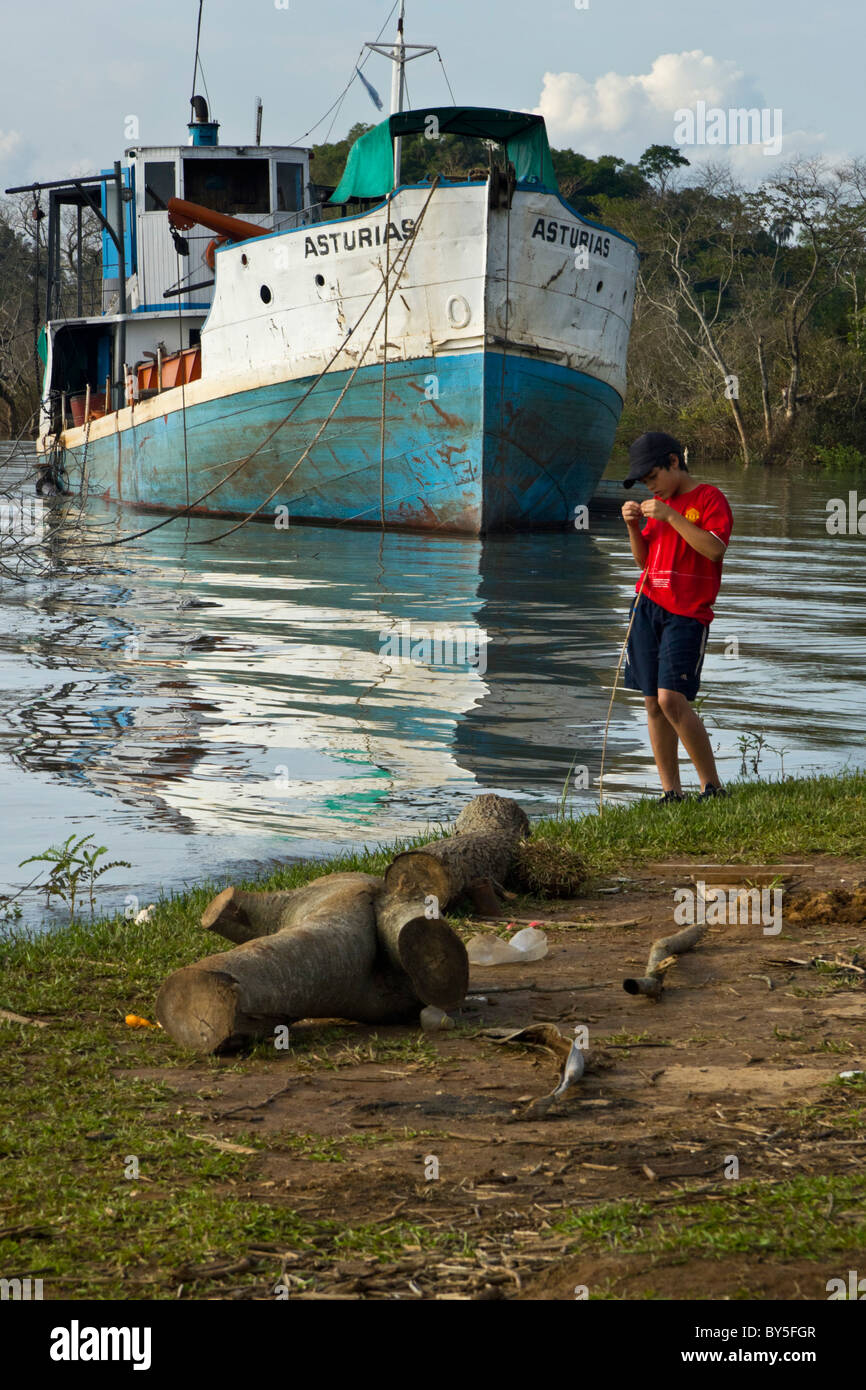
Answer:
(446, 355)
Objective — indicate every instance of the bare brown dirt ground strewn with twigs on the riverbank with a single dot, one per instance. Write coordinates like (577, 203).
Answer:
(733, 1061)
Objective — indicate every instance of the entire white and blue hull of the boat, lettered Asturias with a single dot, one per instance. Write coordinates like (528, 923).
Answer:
(505, 376)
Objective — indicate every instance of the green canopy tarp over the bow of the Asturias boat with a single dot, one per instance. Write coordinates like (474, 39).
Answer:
(370, 166)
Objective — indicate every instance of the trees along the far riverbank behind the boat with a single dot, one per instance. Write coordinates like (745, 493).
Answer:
(750, 325)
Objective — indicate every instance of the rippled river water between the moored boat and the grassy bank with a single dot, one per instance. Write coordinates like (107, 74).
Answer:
(347, 689)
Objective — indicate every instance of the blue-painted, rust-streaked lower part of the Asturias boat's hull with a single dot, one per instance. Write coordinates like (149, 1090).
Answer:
(475, 443)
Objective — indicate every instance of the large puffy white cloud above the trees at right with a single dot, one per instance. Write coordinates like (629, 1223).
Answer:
(622, 115)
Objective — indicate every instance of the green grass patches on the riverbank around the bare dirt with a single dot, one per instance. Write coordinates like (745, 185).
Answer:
(76, 1111)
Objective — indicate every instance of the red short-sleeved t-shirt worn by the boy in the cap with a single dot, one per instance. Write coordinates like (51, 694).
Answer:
(679, 579)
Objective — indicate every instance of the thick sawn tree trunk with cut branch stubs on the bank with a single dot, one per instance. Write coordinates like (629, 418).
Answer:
(345, 946)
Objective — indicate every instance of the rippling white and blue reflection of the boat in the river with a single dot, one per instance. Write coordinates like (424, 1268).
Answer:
(348, 687)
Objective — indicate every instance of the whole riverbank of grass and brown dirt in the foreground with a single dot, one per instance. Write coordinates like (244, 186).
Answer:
(307, 1174)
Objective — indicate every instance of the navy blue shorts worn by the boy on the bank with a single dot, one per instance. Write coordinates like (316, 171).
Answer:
(665, 651)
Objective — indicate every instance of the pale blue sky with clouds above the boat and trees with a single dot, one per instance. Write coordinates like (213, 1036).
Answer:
(608, 77)
